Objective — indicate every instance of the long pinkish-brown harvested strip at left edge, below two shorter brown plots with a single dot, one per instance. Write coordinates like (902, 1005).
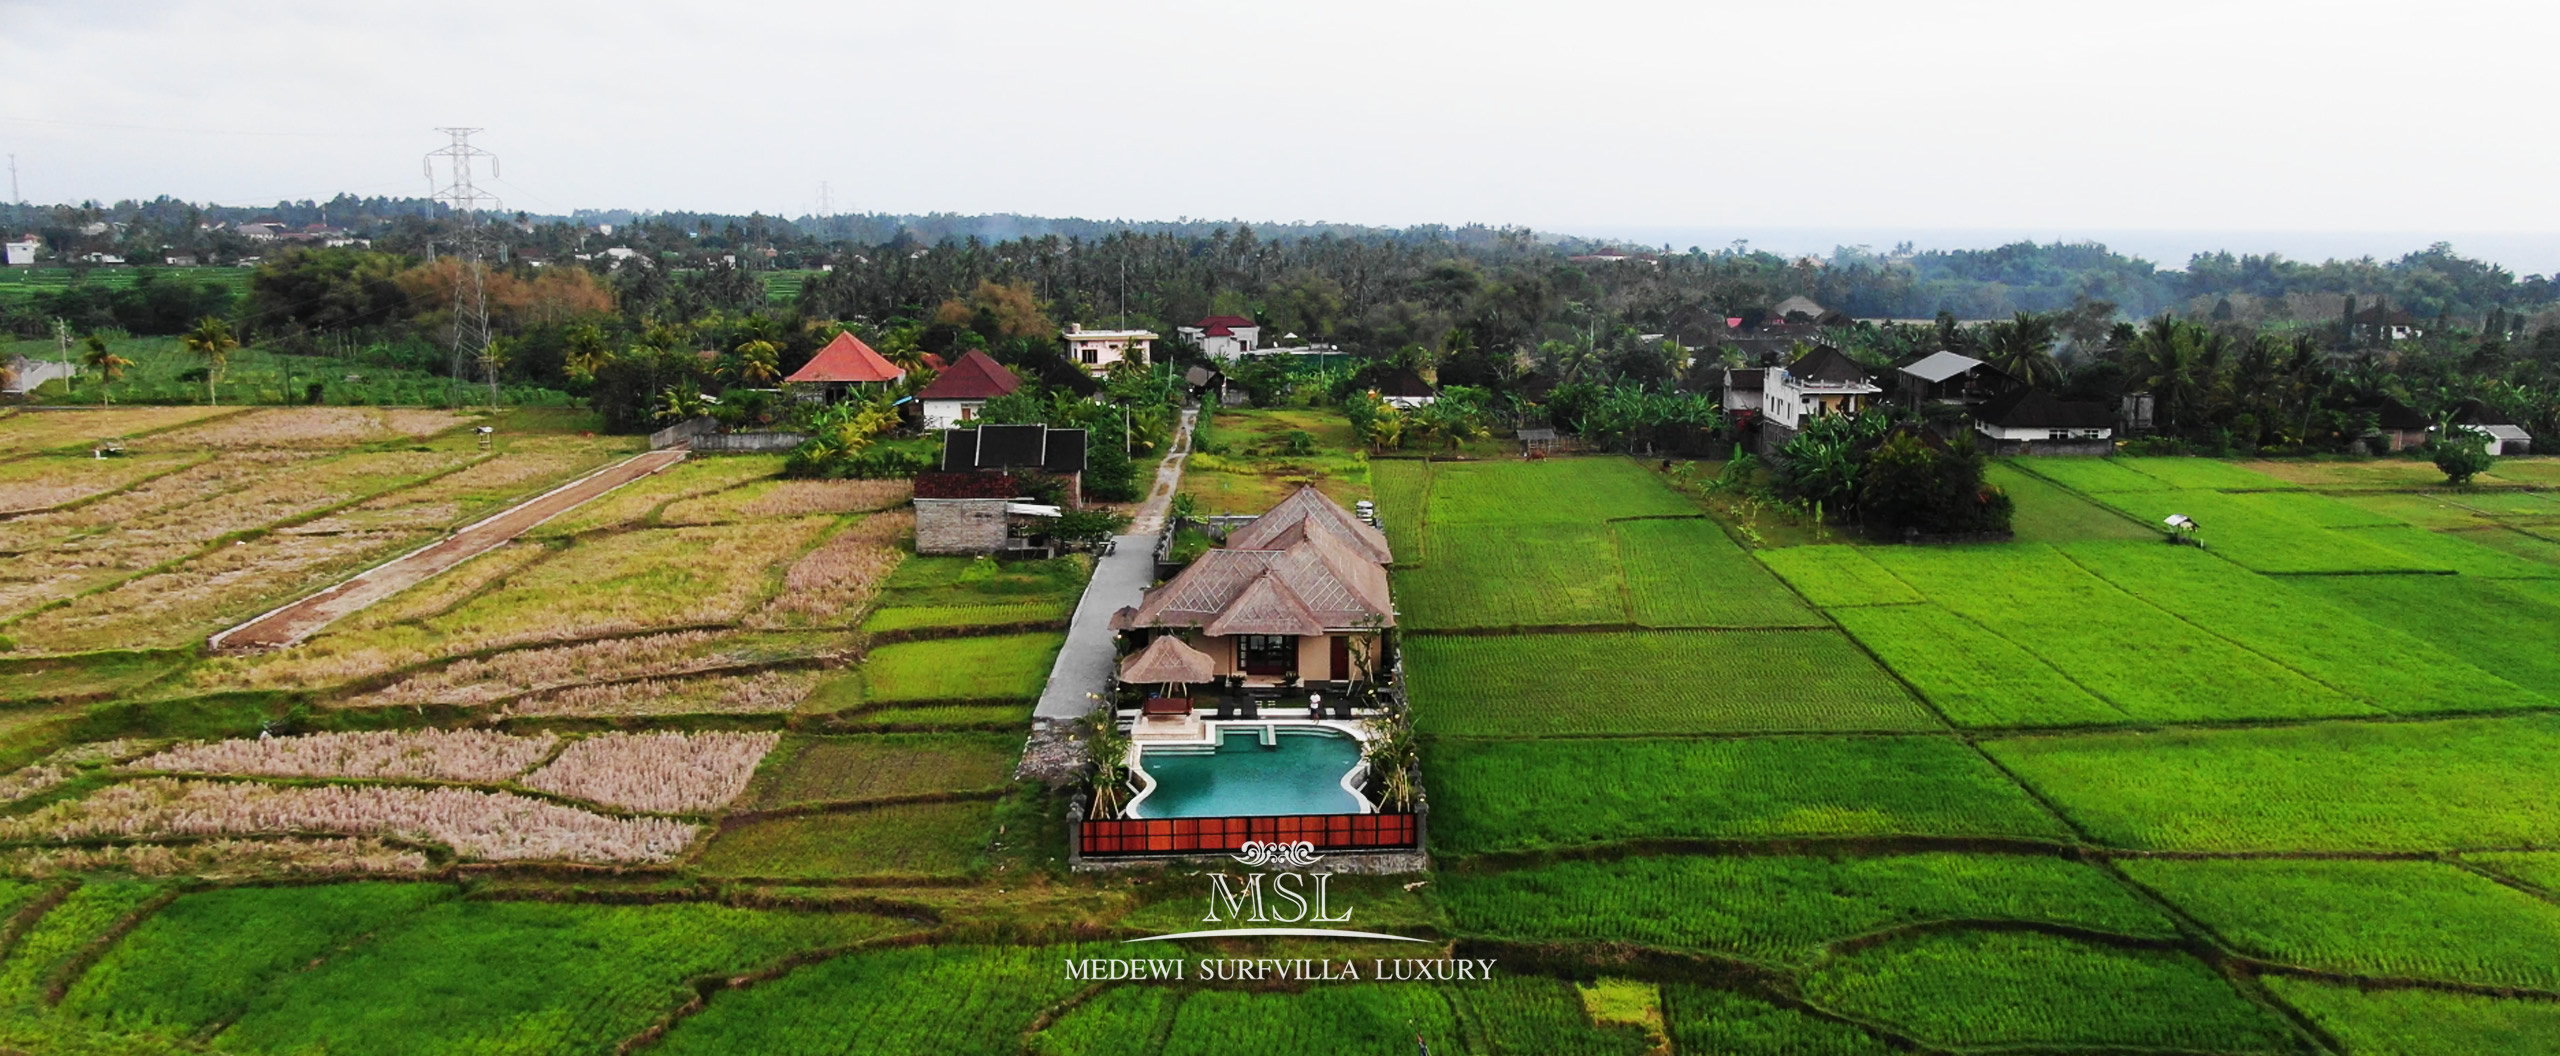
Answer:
(490, 827)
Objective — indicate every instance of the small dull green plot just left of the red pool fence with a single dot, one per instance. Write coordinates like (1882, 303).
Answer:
(915, 839)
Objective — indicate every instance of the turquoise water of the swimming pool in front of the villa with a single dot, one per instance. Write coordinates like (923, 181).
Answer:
(1299, 775)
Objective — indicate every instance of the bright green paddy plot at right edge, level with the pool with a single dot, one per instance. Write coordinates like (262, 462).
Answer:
(2446, 786)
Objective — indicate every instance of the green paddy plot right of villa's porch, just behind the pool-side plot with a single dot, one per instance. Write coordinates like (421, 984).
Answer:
(1652, 683)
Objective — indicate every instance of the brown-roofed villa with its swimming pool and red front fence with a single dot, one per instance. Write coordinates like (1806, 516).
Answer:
(1289, 634)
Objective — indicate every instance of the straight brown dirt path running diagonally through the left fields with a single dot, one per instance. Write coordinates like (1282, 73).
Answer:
(306, 619)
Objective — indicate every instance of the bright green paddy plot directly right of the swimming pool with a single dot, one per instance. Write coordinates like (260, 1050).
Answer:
(1535, 796)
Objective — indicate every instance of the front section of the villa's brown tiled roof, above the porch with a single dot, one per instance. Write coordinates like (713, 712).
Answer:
(1317, 583)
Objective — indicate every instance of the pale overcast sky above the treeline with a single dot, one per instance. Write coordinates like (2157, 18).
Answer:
(1627, 119)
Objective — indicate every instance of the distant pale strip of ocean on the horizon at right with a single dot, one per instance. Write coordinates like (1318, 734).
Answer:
(2518, 252)
